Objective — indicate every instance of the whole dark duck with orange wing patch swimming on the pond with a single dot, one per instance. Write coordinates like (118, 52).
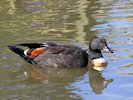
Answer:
(51, 54)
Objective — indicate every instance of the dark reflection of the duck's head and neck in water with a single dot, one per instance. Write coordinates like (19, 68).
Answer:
(97, 81)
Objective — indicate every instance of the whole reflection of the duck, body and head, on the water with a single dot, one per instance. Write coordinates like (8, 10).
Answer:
(65, 77)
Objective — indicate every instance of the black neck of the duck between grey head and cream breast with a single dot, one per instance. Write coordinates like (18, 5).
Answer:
(95, 54)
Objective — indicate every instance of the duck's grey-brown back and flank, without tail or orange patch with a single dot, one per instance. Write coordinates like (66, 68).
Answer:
(62, 56)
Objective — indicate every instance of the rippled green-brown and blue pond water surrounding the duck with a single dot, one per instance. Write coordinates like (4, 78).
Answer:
(68, 22)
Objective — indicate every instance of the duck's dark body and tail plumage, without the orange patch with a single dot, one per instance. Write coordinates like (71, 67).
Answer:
(55, 55)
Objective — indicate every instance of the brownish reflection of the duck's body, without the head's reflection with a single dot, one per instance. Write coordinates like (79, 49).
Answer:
(54, 75)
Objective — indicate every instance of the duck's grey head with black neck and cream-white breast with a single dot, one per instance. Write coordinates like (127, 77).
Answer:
(96, 45)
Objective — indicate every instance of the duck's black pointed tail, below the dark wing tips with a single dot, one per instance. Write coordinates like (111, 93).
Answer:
(20, 52)
